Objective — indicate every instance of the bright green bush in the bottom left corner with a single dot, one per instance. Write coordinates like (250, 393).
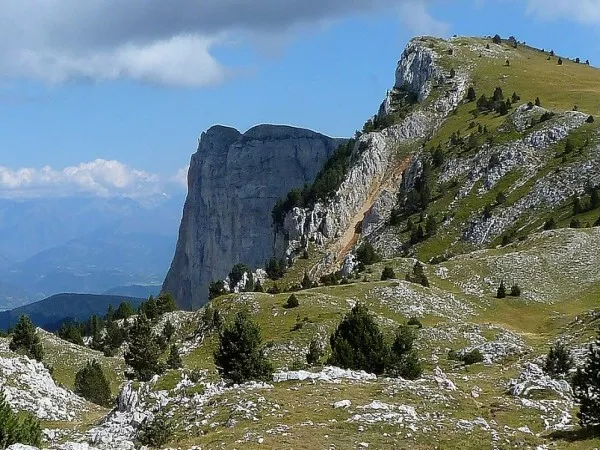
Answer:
(22, 428)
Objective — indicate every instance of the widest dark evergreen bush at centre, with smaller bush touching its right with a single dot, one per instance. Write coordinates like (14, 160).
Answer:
(358, 344)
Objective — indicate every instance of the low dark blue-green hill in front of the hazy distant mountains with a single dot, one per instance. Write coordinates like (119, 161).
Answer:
(52, 311)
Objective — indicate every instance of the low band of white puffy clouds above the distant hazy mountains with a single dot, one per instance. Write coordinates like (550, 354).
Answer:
(97, 178)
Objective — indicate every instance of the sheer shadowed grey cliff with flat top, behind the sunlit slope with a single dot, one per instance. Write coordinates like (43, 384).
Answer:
(234, 181)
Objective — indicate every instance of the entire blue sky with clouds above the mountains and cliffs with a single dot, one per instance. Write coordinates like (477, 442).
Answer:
(109, 97)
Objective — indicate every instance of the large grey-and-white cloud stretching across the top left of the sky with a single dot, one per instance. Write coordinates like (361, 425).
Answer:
(154, 41)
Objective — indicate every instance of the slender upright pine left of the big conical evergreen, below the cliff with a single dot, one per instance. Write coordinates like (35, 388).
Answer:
(144, 350)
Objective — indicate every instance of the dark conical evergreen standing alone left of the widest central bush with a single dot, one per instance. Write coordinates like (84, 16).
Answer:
(240, 356)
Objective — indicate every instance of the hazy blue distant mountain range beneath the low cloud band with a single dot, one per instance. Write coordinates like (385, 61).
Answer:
(84, 245)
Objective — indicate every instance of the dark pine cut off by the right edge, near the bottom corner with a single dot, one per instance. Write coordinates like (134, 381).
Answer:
(586, 387)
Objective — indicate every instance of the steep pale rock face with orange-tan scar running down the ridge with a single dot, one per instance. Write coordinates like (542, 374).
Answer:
(362, 196)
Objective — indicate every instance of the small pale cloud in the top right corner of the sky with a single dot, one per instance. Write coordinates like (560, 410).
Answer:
(583, 11)
